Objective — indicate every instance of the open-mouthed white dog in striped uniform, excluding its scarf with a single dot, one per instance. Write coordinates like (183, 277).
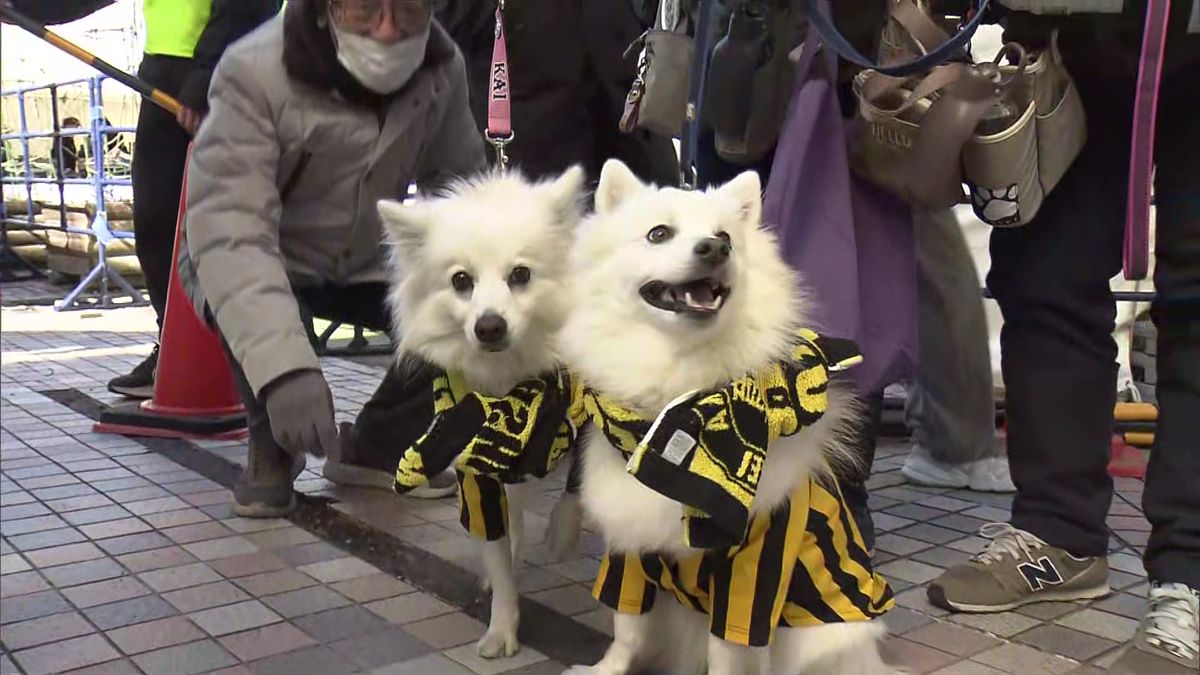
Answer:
(676, 292)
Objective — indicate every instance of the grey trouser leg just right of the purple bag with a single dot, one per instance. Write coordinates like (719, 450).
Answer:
(951, 407)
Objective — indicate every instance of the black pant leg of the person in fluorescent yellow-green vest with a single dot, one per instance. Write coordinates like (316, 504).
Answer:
(159, 159)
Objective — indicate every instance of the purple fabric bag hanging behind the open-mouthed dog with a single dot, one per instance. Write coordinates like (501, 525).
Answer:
(853, 243)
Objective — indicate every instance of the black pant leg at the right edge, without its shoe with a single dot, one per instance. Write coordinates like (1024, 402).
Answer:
(1172, 499)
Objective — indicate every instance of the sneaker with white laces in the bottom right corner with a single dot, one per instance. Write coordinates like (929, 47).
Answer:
(1168, 641)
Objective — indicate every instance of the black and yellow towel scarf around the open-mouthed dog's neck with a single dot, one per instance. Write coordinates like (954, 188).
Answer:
(706, 451)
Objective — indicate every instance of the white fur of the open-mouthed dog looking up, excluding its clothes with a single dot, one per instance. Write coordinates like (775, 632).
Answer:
(646, 357)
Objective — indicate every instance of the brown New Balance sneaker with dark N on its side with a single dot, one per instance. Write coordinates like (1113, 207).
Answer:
(1018, 569)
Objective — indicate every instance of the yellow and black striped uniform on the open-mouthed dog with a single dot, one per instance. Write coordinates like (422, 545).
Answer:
(803, 565)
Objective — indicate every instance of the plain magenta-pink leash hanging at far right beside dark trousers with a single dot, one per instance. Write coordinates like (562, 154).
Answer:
(1142, 152)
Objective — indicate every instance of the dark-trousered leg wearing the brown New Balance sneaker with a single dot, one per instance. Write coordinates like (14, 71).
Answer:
(1052, 280)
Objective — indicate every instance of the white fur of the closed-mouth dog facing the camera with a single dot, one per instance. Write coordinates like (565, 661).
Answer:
(487, 228)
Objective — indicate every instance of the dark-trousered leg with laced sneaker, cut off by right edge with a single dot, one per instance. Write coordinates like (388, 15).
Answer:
(1168, 640)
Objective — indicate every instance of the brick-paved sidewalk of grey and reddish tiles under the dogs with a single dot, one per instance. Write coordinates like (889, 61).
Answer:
(124, 557)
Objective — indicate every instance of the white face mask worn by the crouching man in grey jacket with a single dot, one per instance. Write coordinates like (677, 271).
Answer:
(381, 68)
